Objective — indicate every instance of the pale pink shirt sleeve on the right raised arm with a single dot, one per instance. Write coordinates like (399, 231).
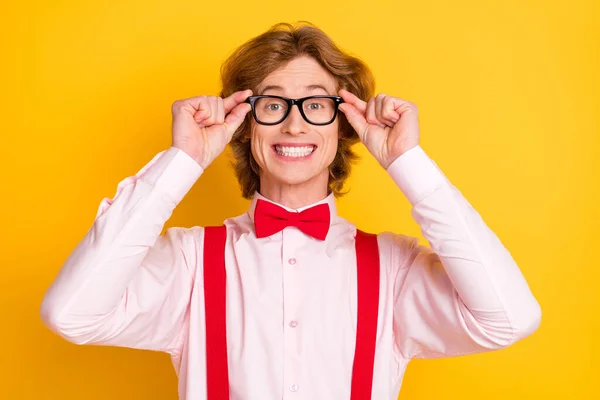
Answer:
(464, 294)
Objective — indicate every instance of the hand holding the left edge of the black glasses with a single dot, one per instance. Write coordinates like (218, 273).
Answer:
(204, 125)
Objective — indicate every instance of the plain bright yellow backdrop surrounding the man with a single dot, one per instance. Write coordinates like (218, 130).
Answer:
(509, 98)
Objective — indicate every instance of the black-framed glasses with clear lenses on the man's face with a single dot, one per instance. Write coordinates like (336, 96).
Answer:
(316, 110)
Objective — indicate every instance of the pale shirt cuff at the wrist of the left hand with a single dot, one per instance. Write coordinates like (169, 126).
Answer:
(172, 171)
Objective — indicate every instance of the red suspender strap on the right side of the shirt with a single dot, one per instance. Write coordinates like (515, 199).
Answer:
(367, 261)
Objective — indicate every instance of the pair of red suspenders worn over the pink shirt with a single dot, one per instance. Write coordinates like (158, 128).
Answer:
(217, 374)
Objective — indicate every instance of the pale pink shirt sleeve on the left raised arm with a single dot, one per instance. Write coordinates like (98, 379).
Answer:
(125, 284)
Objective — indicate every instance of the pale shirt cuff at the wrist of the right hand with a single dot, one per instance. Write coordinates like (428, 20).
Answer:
(416, 174)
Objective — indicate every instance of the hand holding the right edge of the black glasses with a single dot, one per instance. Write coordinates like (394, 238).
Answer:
(388, 126)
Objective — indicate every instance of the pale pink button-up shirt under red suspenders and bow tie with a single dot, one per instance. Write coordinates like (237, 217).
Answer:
(291, 299)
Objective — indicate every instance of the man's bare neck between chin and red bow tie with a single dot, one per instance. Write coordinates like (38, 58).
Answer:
(295, 195)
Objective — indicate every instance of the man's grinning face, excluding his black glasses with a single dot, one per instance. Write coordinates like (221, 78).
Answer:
(295, 152)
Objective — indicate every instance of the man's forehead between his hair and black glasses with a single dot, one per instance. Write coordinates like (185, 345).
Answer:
(301, 75)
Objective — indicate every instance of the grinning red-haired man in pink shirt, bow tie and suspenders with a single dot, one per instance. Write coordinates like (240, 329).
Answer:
(290, 300)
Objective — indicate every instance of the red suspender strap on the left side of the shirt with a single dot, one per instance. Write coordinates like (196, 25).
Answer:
(217, 373)
